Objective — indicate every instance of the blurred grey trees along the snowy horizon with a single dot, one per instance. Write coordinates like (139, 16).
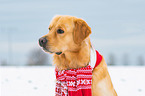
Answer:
(37, 57)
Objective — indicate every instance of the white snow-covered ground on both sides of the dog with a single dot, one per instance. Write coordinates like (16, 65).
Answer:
(40, 81)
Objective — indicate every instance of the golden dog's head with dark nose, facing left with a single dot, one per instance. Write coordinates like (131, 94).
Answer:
(66, 33)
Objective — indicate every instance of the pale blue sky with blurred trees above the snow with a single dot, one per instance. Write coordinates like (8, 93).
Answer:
(118, 29)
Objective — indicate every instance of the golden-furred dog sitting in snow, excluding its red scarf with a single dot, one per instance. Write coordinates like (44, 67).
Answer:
(69, 42)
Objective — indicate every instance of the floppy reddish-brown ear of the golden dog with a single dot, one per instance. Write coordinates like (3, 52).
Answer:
(81, 31)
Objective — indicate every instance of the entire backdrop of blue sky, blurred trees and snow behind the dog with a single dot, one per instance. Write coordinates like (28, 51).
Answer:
(118, 33)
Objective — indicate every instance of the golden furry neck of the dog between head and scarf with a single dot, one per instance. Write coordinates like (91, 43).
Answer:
(73, 60)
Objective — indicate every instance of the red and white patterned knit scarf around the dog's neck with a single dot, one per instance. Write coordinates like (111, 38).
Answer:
(75, 82)
